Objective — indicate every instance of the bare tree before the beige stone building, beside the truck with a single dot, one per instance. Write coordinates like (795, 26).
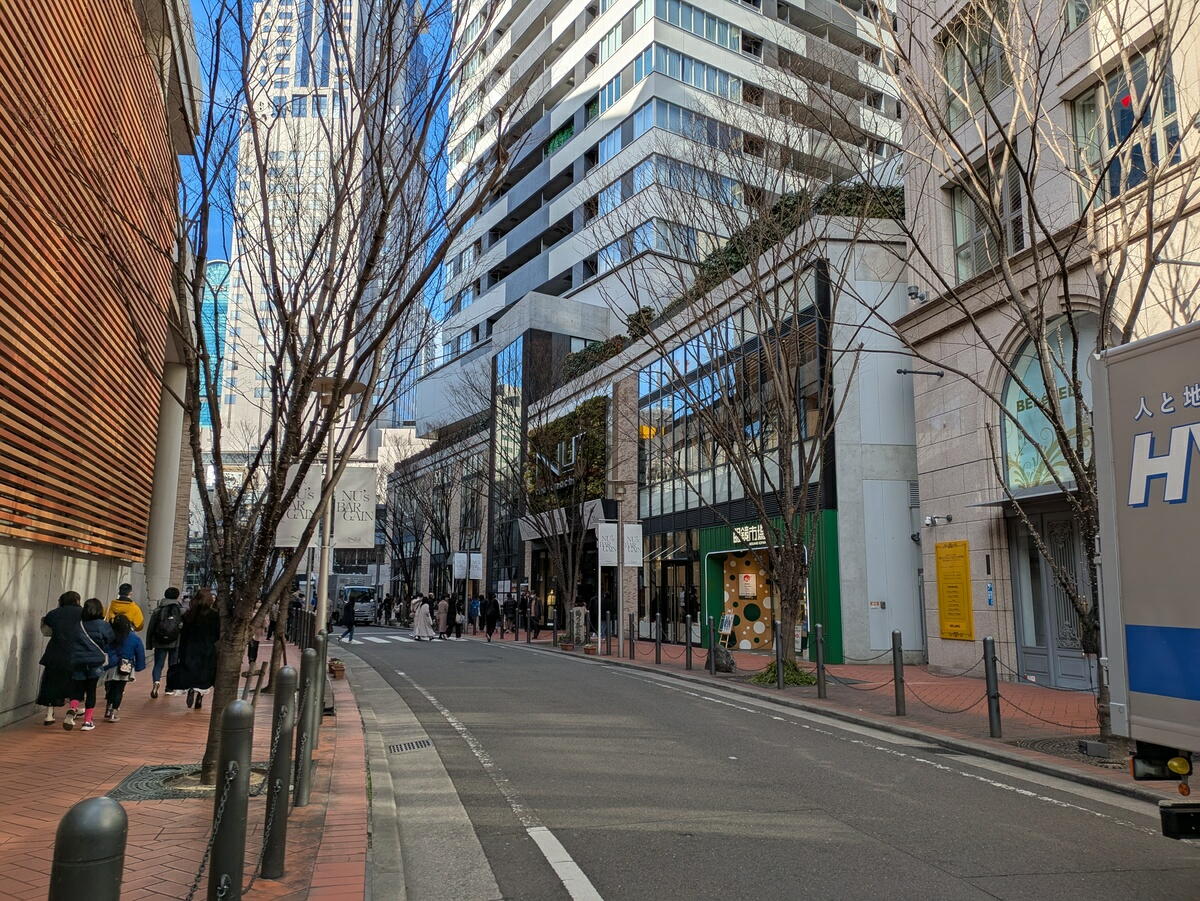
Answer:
(1069, 205)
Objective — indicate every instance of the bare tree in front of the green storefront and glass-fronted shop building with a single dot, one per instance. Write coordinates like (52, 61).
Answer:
(716, 249)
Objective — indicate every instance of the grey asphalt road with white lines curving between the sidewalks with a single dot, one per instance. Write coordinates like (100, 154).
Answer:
(661, 790)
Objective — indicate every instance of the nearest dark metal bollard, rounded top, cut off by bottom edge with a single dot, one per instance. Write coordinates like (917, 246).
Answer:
(89, 852)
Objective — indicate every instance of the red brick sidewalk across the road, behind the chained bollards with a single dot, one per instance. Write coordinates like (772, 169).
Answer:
(941, 707)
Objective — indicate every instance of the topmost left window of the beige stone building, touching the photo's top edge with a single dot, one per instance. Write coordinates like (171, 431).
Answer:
(974, 64)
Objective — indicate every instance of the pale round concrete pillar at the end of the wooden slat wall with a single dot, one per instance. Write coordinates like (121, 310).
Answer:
(165, 496)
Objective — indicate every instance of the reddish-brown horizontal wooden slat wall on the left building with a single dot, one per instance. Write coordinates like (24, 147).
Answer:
(86, 166)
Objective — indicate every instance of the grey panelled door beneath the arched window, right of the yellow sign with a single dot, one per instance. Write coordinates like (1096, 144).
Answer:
(1048, 624)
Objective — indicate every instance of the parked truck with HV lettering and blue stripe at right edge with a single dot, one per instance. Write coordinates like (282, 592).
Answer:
(1148, 440)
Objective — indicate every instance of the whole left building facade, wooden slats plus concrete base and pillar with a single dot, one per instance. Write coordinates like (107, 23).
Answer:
(93, 440)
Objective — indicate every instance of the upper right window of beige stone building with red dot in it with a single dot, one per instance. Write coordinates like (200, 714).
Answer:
(1124, 133)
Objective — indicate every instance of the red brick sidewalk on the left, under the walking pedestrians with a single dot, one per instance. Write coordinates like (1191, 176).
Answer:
(47, 770)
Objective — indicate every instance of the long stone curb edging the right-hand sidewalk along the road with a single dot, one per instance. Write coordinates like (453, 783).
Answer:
(956, 744)
